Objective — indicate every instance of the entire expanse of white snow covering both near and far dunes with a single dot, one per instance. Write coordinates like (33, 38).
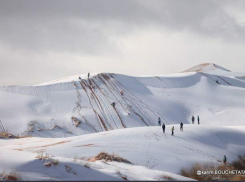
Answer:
(73, 120)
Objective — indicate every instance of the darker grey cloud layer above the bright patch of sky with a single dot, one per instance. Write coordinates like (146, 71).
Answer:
(86, 26)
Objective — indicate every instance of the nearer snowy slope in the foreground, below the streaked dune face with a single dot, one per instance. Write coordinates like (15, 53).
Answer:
(153, 154)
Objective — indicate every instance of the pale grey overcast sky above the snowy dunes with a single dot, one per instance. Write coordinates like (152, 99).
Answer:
(49, 39)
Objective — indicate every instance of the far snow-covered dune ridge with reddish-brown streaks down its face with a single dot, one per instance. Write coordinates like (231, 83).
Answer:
(50, 109)
